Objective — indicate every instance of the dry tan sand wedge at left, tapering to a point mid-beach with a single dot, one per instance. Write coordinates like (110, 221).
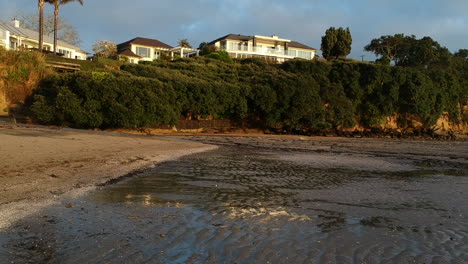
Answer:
(39, 165)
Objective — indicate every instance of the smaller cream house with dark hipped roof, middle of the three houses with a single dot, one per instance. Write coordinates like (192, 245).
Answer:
(145, 49)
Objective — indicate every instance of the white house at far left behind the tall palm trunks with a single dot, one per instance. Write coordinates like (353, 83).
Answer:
(14, 37)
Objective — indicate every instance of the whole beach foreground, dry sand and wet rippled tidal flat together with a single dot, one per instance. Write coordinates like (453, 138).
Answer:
(256, 198)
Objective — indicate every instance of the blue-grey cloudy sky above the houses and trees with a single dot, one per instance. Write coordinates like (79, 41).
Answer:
(304, 21)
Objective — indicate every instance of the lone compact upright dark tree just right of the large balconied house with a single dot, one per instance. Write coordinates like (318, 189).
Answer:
(336, 43)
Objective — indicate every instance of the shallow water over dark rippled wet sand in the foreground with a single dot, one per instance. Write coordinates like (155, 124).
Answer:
(241, 205)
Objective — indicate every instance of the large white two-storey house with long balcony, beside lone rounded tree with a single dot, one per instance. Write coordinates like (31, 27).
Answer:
(272, 48)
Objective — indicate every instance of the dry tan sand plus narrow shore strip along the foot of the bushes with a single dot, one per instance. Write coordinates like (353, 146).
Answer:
(106, 157)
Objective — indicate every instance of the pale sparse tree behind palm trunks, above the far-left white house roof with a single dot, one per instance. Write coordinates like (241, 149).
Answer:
(66, 32)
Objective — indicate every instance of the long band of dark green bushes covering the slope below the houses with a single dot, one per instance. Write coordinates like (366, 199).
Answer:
(297, 96)
